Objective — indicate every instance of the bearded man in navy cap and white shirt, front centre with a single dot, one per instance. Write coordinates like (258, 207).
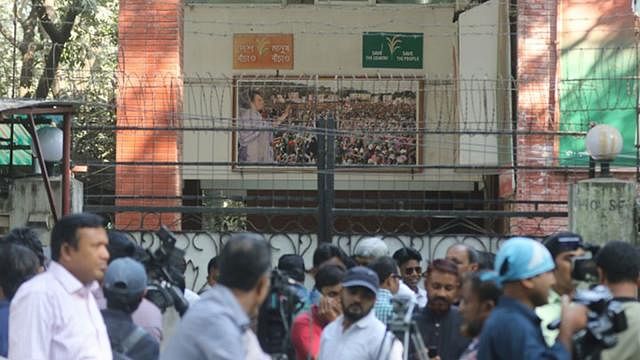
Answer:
(358, 334)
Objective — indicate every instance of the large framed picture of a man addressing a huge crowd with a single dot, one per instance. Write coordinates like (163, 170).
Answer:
(376, 121)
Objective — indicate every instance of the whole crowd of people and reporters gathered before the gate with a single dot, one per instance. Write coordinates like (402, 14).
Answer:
(87, 301)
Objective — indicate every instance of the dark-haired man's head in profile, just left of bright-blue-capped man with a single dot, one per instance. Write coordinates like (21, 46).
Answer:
(478, 298)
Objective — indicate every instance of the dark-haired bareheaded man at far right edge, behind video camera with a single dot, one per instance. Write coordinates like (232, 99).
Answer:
(618, 269)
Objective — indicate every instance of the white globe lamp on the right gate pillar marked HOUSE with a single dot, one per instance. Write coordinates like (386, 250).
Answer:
(604, 143)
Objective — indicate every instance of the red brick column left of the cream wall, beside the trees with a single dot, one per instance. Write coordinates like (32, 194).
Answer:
(150, 91)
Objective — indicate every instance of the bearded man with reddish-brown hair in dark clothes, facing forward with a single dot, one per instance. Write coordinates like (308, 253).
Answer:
(440, 321)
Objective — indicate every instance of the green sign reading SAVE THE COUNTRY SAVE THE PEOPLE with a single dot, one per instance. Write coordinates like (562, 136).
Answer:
(392, 50)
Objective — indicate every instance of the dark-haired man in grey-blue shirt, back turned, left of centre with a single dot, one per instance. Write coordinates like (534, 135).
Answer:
(217, 326)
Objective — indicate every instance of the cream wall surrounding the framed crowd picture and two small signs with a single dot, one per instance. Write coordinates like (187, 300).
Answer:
(327, 41)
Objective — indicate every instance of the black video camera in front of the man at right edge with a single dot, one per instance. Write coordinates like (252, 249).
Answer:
(606, 318)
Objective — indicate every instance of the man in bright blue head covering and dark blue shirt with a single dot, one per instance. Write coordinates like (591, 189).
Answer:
(524, 268)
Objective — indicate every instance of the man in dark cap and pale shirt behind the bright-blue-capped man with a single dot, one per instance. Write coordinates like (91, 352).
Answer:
(563, 247)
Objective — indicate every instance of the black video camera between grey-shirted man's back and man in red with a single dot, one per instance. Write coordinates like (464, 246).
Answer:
(276, 315)
